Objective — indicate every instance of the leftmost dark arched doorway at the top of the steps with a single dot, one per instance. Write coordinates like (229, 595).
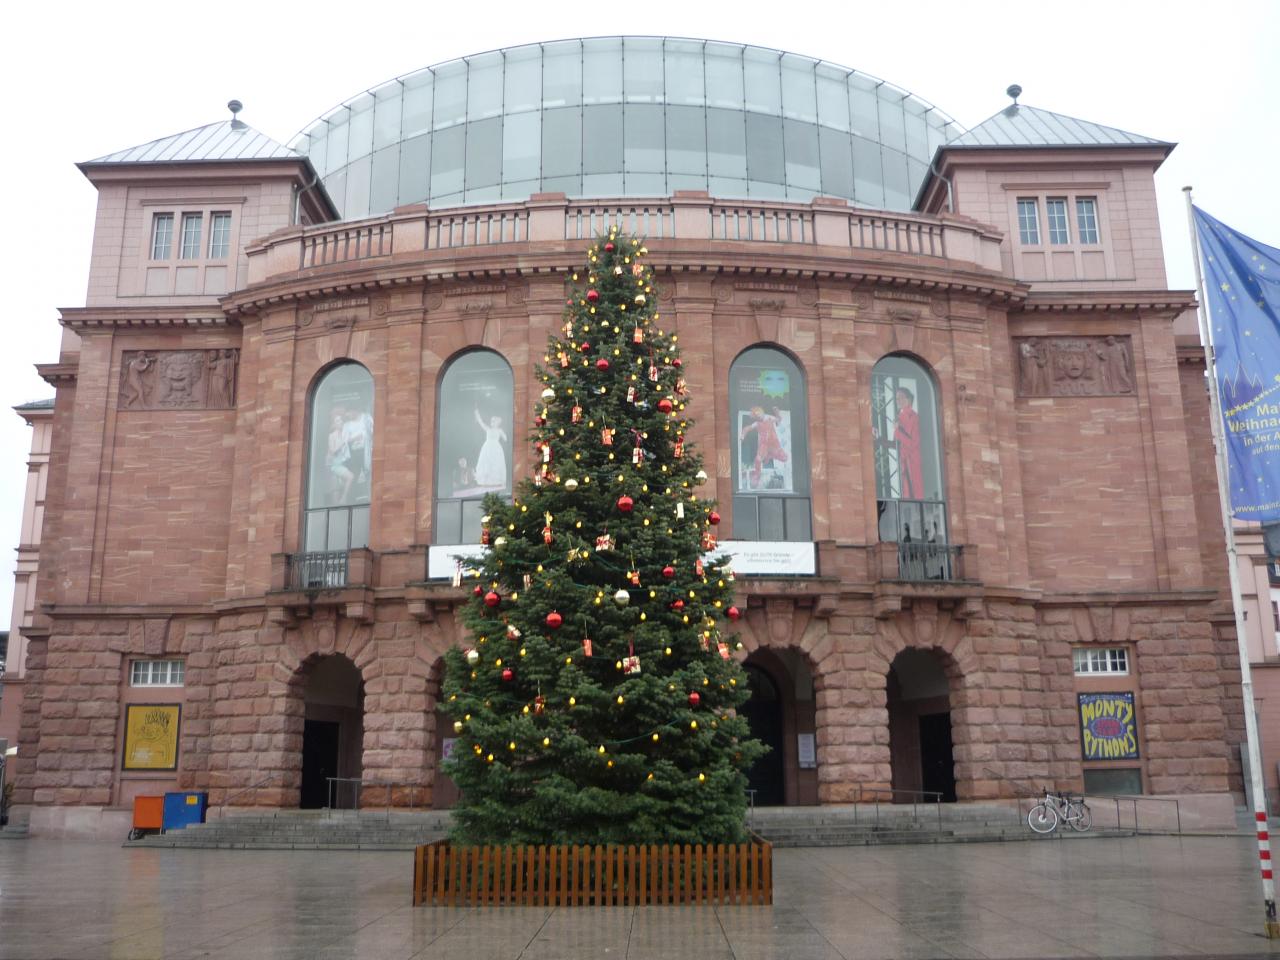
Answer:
(333, 733)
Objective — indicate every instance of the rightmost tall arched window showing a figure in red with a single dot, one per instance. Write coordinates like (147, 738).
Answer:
(911, 490)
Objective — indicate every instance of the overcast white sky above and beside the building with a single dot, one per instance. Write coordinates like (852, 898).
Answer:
(84, 80)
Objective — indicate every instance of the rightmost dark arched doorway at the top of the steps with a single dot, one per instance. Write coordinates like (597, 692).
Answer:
(920, 726)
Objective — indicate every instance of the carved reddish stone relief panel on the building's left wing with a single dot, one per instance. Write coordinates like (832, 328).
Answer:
(179, 380)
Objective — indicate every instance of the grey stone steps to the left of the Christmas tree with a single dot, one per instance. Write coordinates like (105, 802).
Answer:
(308, 830)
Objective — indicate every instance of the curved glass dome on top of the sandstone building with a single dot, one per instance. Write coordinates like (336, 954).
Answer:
(627, 117)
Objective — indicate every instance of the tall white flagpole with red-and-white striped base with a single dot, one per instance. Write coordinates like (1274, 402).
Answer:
(1251, 719)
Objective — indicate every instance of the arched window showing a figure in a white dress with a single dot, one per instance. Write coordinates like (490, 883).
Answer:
(473, 442)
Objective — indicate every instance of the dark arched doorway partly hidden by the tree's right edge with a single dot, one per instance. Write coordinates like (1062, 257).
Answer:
(783, 715)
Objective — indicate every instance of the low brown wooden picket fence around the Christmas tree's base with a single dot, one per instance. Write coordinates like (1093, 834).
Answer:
(593, 876)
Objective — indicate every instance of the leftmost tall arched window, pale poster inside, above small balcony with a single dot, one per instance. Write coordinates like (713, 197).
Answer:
(341, 459)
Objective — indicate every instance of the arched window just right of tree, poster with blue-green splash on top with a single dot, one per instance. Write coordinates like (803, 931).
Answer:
(770, 438)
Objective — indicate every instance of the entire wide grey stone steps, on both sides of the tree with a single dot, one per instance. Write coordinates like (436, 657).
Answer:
(856, 825)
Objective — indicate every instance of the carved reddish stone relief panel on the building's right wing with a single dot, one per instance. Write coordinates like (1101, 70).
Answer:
(1075, 367)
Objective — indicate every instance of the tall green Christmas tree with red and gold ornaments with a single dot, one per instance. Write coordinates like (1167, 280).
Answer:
(596, 700)
